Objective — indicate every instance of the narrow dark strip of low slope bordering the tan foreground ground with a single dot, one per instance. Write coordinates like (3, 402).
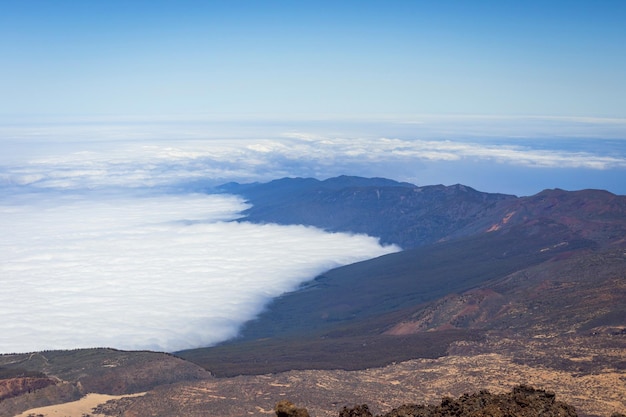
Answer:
(346, 352)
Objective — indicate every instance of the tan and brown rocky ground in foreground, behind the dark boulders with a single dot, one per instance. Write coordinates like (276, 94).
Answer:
(597, 387)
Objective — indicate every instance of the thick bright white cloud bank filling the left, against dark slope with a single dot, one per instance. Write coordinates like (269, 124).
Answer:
(148, 272)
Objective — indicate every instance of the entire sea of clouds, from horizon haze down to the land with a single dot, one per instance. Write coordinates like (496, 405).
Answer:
(111, 235)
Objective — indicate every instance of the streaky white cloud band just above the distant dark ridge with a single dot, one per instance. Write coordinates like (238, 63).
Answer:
(164, 164)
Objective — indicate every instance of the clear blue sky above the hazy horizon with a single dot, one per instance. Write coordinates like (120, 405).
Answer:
(295, 58)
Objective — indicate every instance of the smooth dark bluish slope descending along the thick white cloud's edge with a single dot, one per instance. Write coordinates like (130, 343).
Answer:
(395, 281)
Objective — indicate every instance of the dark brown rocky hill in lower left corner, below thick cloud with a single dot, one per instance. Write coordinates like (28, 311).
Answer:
(73, 374)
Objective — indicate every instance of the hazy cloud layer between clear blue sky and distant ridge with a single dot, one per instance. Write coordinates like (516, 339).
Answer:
(426, 150)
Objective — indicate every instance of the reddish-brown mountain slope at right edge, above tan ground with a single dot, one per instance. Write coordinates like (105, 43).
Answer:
(583, 294)
